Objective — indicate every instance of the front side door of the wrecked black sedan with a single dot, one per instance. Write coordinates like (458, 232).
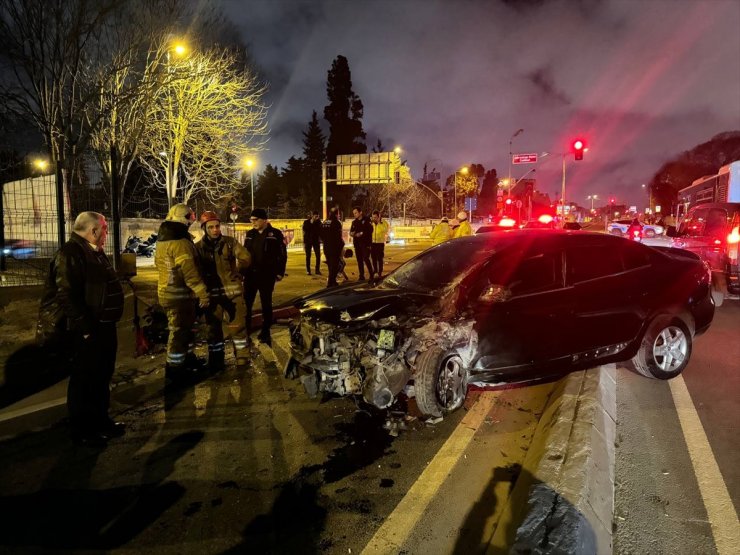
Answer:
(523, 327)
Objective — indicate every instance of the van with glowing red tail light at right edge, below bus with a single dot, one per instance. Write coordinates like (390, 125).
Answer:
(712, 231)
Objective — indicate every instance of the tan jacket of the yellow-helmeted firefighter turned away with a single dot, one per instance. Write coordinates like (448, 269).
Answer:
(178, 276)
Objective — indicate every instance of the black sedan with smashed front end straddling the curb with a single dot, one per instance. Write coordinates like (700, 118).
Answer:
(517, 306)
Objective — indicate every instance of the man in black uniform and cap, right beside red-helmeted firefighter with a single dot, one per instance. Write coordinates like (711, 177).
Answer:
(266, 246)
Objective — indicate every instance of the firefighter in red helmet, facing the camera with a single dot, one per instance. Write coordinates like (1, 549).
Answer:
(221, 258)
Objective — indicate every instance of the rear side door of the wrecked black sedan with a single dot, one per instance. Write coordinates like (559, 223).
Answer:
(608, 276)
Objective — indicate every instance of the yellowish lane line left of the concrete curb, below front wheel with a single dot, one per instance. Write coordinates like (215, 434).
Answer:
(394, 532)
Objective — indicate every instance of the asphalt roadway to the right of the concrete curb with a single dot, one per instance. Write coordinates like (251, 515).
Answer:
(669, 495)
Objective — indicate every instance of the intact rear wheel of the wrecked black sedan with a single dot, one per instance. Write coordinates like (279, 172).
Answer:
(665, 349)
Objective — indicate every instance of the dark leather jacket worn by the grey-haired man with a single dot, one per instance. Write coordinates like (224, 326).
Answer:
(82, 290)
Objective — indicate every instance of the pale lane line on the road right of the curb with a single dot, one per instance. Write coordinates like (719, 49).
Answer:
(720, 510)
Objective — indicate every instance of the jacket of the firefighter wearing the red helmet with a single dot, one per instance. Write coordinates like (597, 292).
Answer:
(221, 262)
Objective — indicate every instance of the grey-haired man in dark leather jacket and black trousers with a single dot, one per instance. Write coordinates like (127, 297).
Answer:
(84, 291)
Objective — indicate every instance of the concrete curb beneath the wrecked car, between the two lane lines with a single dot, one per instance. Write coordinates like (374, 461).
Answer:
(564, 499)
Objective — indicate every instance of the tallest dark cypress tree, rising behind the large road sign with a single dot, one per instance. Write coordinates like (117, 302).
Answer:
(344, 114)
